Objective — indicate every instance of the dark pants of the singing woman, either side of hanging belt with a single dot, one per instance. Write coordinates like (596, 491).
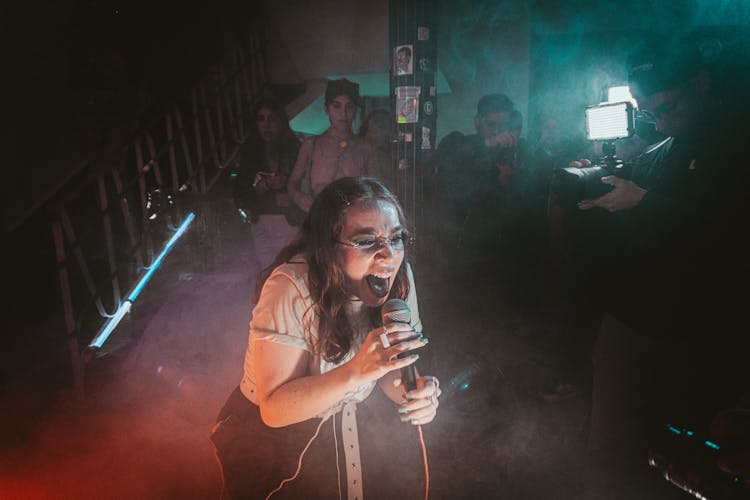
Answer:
(255, 458)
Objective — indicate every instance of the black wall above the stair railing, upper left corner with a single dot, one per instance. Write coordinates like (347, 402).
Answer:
(78, 69)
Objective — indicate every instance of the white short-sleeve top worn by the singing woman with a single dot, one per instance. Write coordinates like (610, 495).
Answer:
(285, 314)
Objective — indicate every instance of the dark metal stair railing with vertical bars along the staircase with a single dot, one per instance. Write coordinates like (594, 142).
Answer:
(104, 239)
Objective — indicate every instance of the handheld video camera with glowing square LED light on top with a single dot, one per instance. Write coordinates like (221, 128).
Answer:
(604, 122)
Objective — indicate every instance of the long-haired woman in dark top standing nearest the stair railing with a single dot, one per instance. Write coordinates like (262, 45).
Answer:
(266, 160)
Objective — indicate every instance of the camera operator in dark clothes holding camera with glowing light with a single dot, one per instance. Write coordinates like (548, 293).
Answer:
(668, 344)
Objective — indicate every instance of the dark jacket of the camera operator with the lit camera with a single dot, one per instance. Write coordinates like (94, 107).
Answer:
(675, 256)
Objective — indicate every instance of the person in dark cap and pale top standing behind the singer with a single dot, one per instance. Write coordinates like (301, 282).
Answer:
(336, 153)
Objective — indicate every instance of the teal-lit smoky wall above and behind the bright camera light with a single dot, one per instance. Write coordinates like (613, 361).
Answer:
(579, 48)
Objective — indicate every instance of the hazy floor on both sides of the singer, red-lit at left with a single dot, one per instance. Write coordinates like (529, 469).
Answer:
(152, 397)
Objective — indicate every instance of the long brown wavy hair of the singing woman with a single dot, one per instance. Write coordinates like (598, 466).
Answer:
(316, 241)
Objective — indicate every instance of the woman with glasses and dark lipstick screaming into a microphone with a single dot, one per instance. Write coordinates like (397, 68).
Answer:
(316, 351)
